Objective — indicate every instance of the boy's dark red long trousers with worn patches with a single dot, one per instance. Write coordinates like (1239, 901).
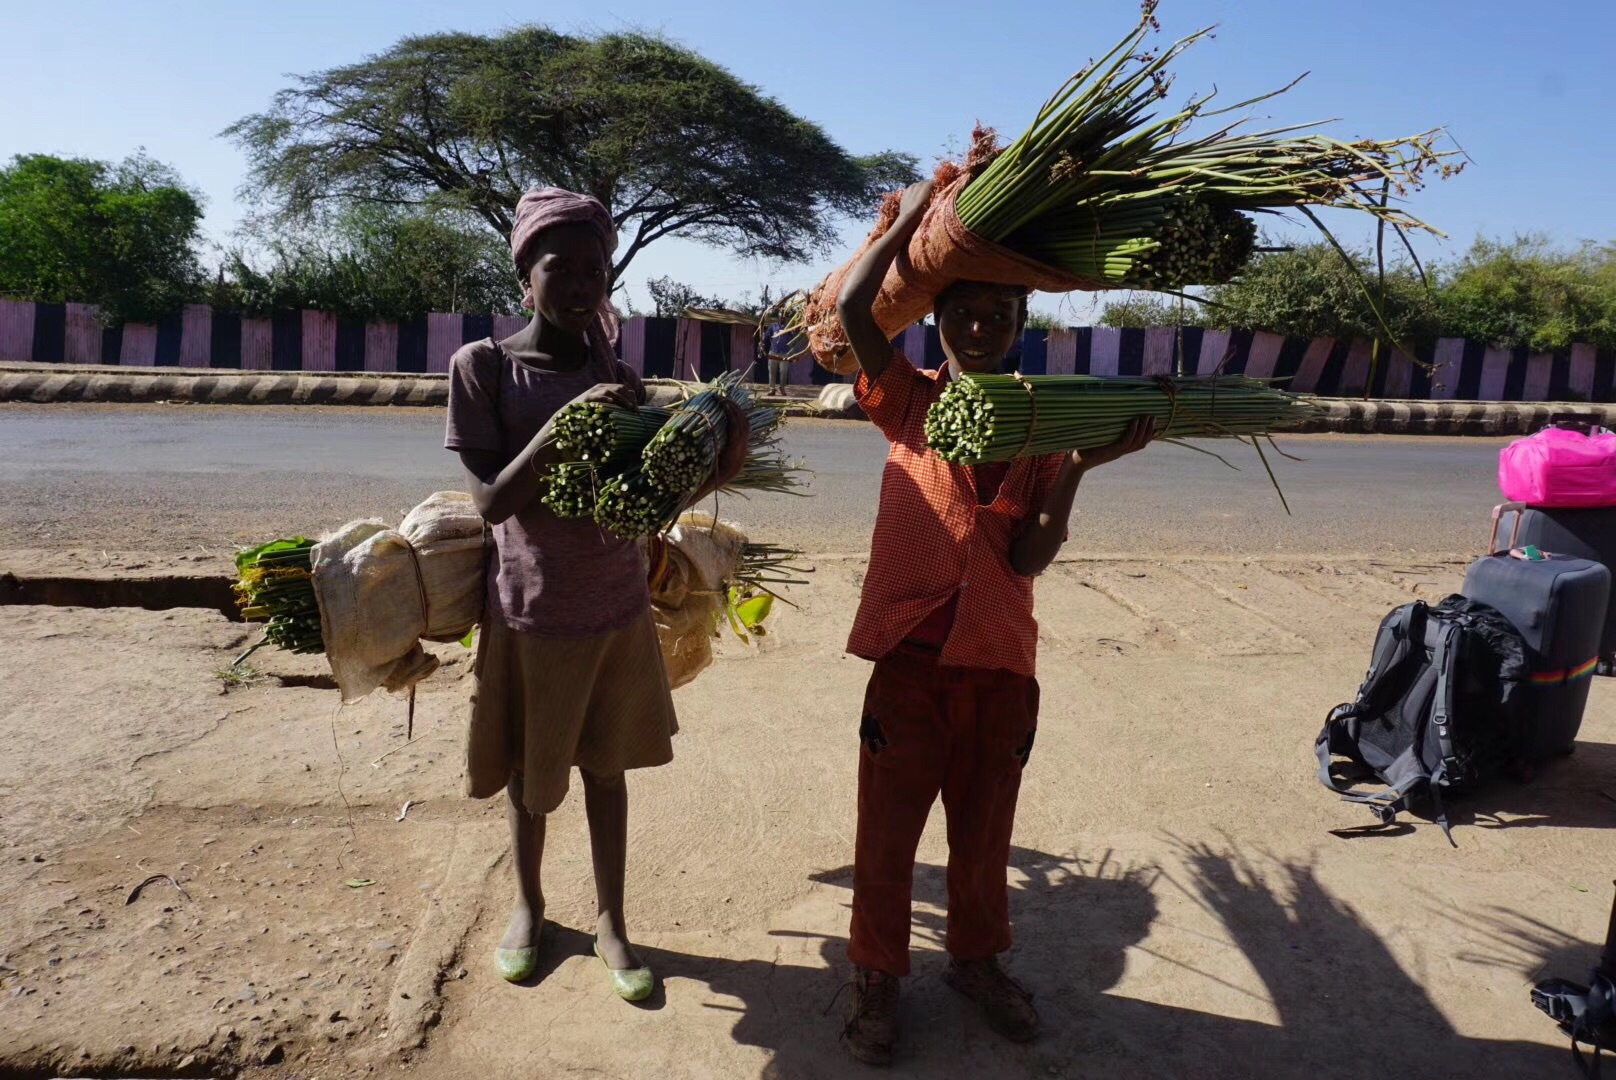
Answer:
(961, 732)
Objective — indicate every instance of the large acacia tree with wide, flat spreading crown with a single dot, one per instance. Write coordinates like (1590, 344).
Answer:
(671, 143)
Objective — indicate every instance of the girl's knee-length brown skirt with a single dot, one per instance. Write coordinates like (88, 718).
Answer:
(542, 706)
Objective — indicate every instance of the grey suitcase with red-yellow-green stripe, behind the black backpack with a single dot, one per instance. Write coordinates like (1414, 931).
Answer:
(1557, 602)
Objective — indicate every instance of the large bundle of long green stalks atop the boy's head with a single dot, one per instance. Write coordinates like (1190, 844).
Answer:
(1113, 193)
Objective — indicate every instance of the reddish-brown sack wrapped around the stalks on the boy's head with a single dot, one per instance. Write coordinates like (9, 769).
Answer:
(941, 253)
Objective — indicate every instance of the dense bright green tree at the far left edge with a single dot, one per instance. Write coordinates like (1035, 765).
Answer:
(120, 237)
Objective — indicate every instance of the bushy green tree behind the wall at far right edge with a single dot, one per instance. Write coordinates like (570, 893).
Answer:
(1526, 293)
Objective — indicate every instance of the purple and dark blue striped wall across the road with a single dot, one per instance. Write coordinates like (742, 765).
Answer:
(319, 342)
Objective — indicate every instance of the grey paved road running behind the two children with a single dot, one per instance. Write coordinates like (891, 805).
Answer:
(172, 478)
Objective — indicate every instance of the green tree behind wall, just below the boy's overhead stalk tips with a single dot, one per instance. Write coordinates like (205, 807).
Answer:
(1310, 292)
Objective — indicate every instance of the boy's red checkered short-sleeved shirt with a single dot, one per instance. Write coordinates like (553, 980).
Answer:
(935, 541)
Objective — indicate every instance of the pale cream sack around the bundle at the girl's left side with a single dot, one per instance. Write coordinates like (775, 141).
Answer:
(384, 591)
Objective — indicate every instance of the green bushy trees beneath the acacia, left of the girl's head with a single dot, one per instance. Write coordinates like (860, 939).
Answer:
(377, 263)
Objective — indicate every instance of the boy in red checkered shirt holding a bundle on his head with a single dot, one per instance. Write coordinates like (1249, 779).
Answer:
(948, 618)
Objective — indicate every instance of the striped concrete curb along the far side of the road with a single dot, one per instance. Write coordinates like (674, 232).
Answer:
(54, 384)
